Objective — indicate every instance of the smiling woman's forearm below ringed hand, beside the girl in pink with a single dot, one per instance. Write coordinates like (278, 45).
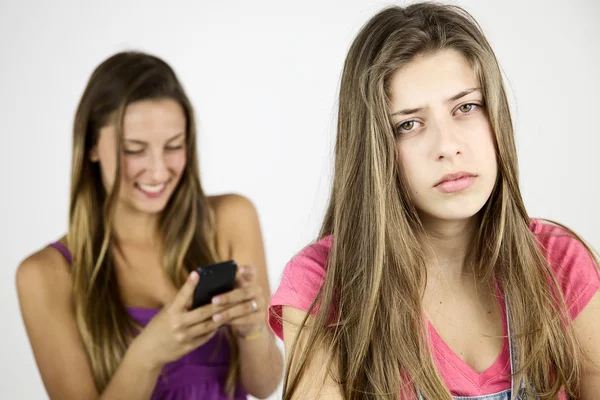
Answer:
(261, 364)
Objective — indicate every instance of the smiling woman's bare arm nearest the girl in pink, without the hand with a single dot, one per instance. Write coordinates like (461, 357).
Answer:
(261, 361)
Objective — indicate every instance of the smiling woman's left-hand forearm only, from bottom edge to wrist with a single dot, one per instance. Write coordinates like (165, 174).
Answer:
(134, 379)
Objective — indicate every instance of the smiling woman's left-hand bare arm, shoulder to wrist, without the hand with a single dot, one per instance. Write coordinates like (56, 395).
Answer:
(44, 289)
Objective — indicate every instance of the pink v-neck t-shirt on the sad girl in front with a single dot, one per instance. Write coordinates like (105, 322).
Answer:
(575, 271)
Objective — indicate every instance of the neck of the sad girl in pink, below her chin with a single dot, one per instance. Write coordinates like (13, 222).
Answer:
(447, 245)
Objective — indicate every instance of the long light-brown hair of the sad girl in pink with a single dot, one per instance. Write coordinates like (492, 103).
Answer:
(376, 273)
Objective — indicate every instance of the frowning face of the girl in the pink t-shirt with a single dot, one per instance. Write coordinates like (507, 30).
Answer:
(444, 138)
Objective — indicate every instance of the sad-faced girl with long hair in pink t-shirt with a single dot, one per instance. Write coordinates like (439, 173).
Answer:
(429, 280)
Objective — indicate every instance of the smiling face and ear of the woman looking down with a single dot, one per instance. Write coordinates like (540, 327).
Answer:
(153, 157)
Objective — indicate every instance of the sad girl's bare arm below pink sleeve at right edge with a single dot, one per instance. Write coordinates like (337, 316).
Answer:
(587, 329)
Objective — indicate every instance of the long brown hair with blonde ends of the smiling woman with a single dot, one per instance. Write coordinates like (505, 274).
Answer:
(186, 224)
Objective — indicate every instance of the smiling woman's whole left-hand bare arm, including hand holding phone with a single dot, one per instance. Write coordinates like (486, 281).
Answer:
(44, 288)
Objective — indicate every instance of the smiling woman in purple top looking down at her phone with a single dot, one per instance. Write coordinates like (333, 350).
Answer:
(107, 307)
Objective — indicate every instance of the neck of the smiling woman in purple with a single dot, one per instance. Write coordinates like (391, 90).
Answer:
(135, 227)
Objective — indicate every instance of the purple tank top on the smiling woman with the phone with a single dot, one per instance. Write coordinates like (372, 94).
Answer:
(199, 374)
